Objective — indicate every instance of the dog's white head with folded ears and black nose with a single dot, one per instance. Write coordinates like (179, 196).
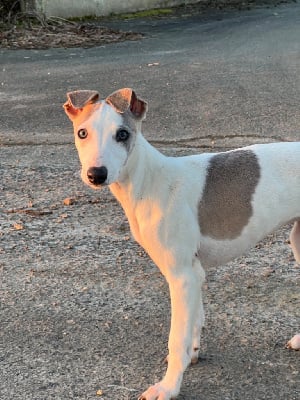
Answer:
(105, 132)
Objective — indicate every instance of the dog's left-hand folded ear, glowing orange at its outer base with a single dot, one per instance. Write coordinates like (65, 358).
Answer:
(77, 100)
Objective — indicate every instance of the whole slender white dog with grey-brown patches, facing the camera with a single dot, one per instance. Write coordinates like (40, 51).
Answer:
(188, 213)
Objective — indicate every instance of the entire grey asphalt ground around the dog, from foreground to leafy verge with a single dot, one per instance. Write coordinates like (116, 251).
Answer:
(83, 311)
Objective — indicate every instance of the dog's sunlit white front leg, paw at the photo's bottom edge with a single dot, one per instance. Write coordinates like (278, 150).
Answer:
(184, 292)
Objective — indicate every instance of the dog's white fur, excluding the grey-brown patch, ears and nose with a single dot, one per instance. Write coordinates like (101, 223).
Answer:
(160, 196)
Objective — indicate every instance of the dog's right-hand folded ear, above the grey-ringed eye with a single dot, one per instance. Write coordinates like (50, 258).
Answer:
(126, 99)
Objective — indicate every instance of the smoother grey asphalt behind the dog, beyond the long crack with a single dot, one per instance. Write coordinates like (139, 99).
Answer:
(226, 75)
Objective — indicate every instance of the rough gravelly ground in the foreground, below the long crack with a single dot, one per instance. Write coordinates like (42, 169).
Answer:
(80, 300)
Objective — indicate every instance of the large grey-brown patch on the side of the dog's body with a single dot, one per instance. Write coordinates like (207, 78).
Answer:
(225, 207)
